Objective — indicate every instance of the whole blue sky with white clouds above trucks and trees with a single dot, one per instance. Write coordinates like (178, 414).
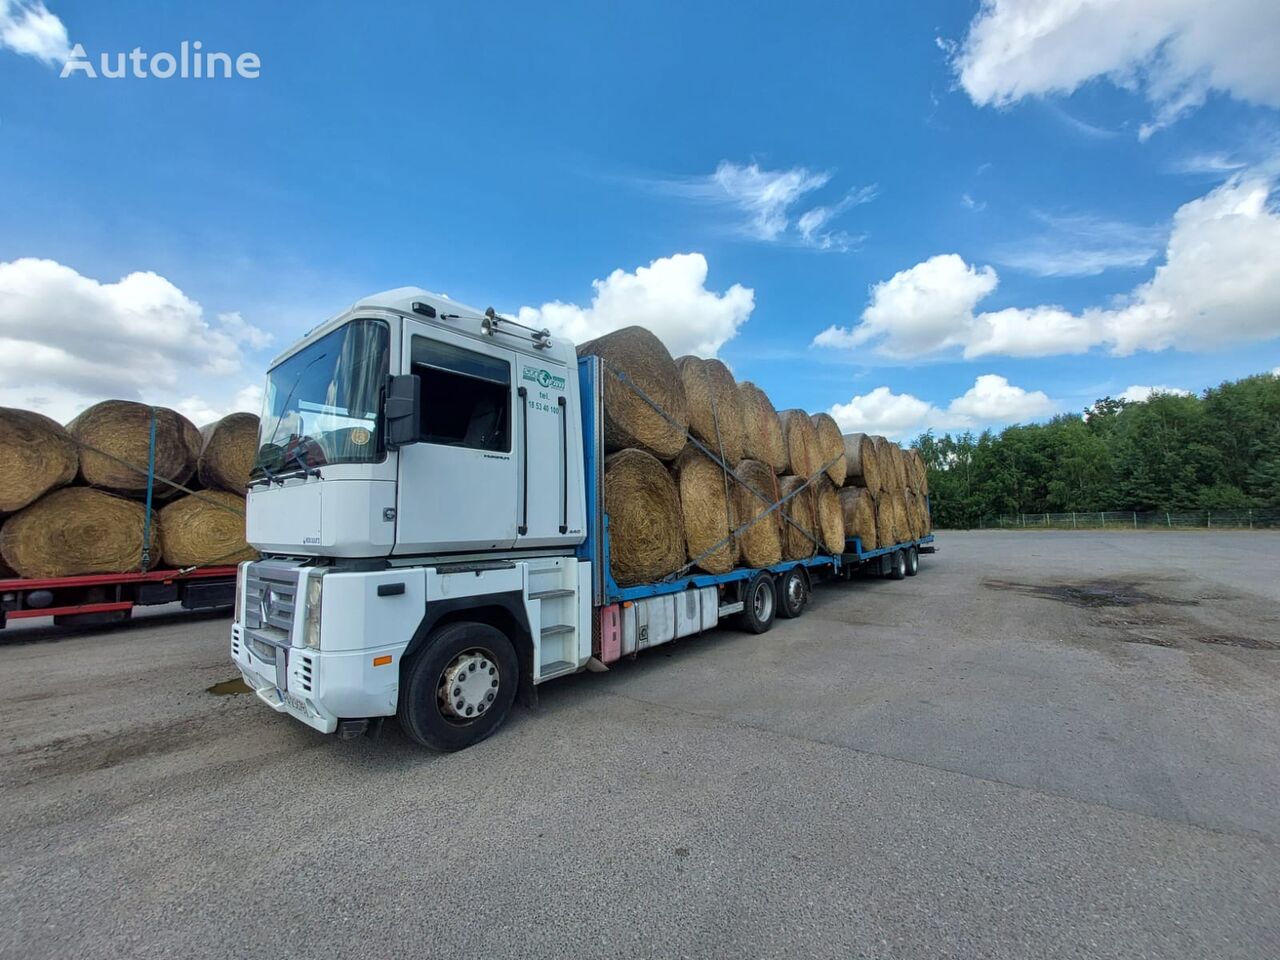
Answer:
(912, 214)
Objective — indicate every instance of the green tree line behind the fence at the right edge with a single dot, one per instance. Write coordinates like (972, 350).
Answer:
(1215, 451)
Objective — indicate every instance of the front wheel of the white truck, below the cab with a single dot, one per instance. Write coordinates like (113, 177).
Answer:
(465, 651)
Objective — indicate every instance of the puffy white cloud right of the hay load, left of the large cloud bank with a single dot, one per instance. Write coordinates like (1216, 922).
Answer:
(920, 310)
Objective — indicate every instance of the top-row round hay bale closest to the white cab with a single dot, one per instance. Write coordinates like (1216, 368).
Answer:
(630, 423)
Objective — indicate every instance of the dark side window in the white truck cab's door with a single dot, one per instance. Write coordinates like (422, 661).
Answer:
(467, 396)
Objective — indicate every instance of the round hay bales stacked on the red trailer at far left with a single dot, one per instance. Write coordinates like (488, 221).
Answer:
(74, 496)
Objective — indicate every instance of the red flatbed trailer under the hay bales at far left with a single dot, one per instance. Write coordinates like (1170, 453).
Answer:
(109, 598)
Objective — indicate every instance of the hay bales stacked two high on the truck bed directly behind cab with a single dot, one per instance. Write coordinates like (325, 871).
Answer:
(712, 504)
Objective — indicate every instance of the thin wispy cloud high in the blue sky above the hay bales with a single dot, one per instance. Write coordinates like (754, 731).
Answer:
(771, 204)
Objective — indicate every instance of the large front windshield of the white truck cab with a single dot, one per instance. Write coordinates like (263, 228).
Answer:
(323, 404)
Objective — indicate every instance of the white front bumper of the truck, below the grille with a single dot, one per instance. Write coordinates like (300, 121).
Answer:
(319, 689)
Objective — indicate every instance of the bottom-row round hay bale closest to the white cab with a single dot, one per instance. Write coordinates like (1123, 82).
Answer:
(647, 538)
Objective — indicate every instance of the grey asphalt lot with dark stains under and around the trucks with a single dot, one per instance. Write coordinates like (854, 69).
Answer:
(1048, 746)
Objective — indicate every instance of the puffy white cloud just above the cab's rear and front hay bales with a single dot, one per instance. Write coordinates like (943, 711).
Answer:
(669, 298)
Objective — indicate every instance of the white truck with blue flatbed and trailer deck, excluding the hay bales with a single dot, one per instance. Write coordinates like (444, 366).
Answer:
(427, 501)
